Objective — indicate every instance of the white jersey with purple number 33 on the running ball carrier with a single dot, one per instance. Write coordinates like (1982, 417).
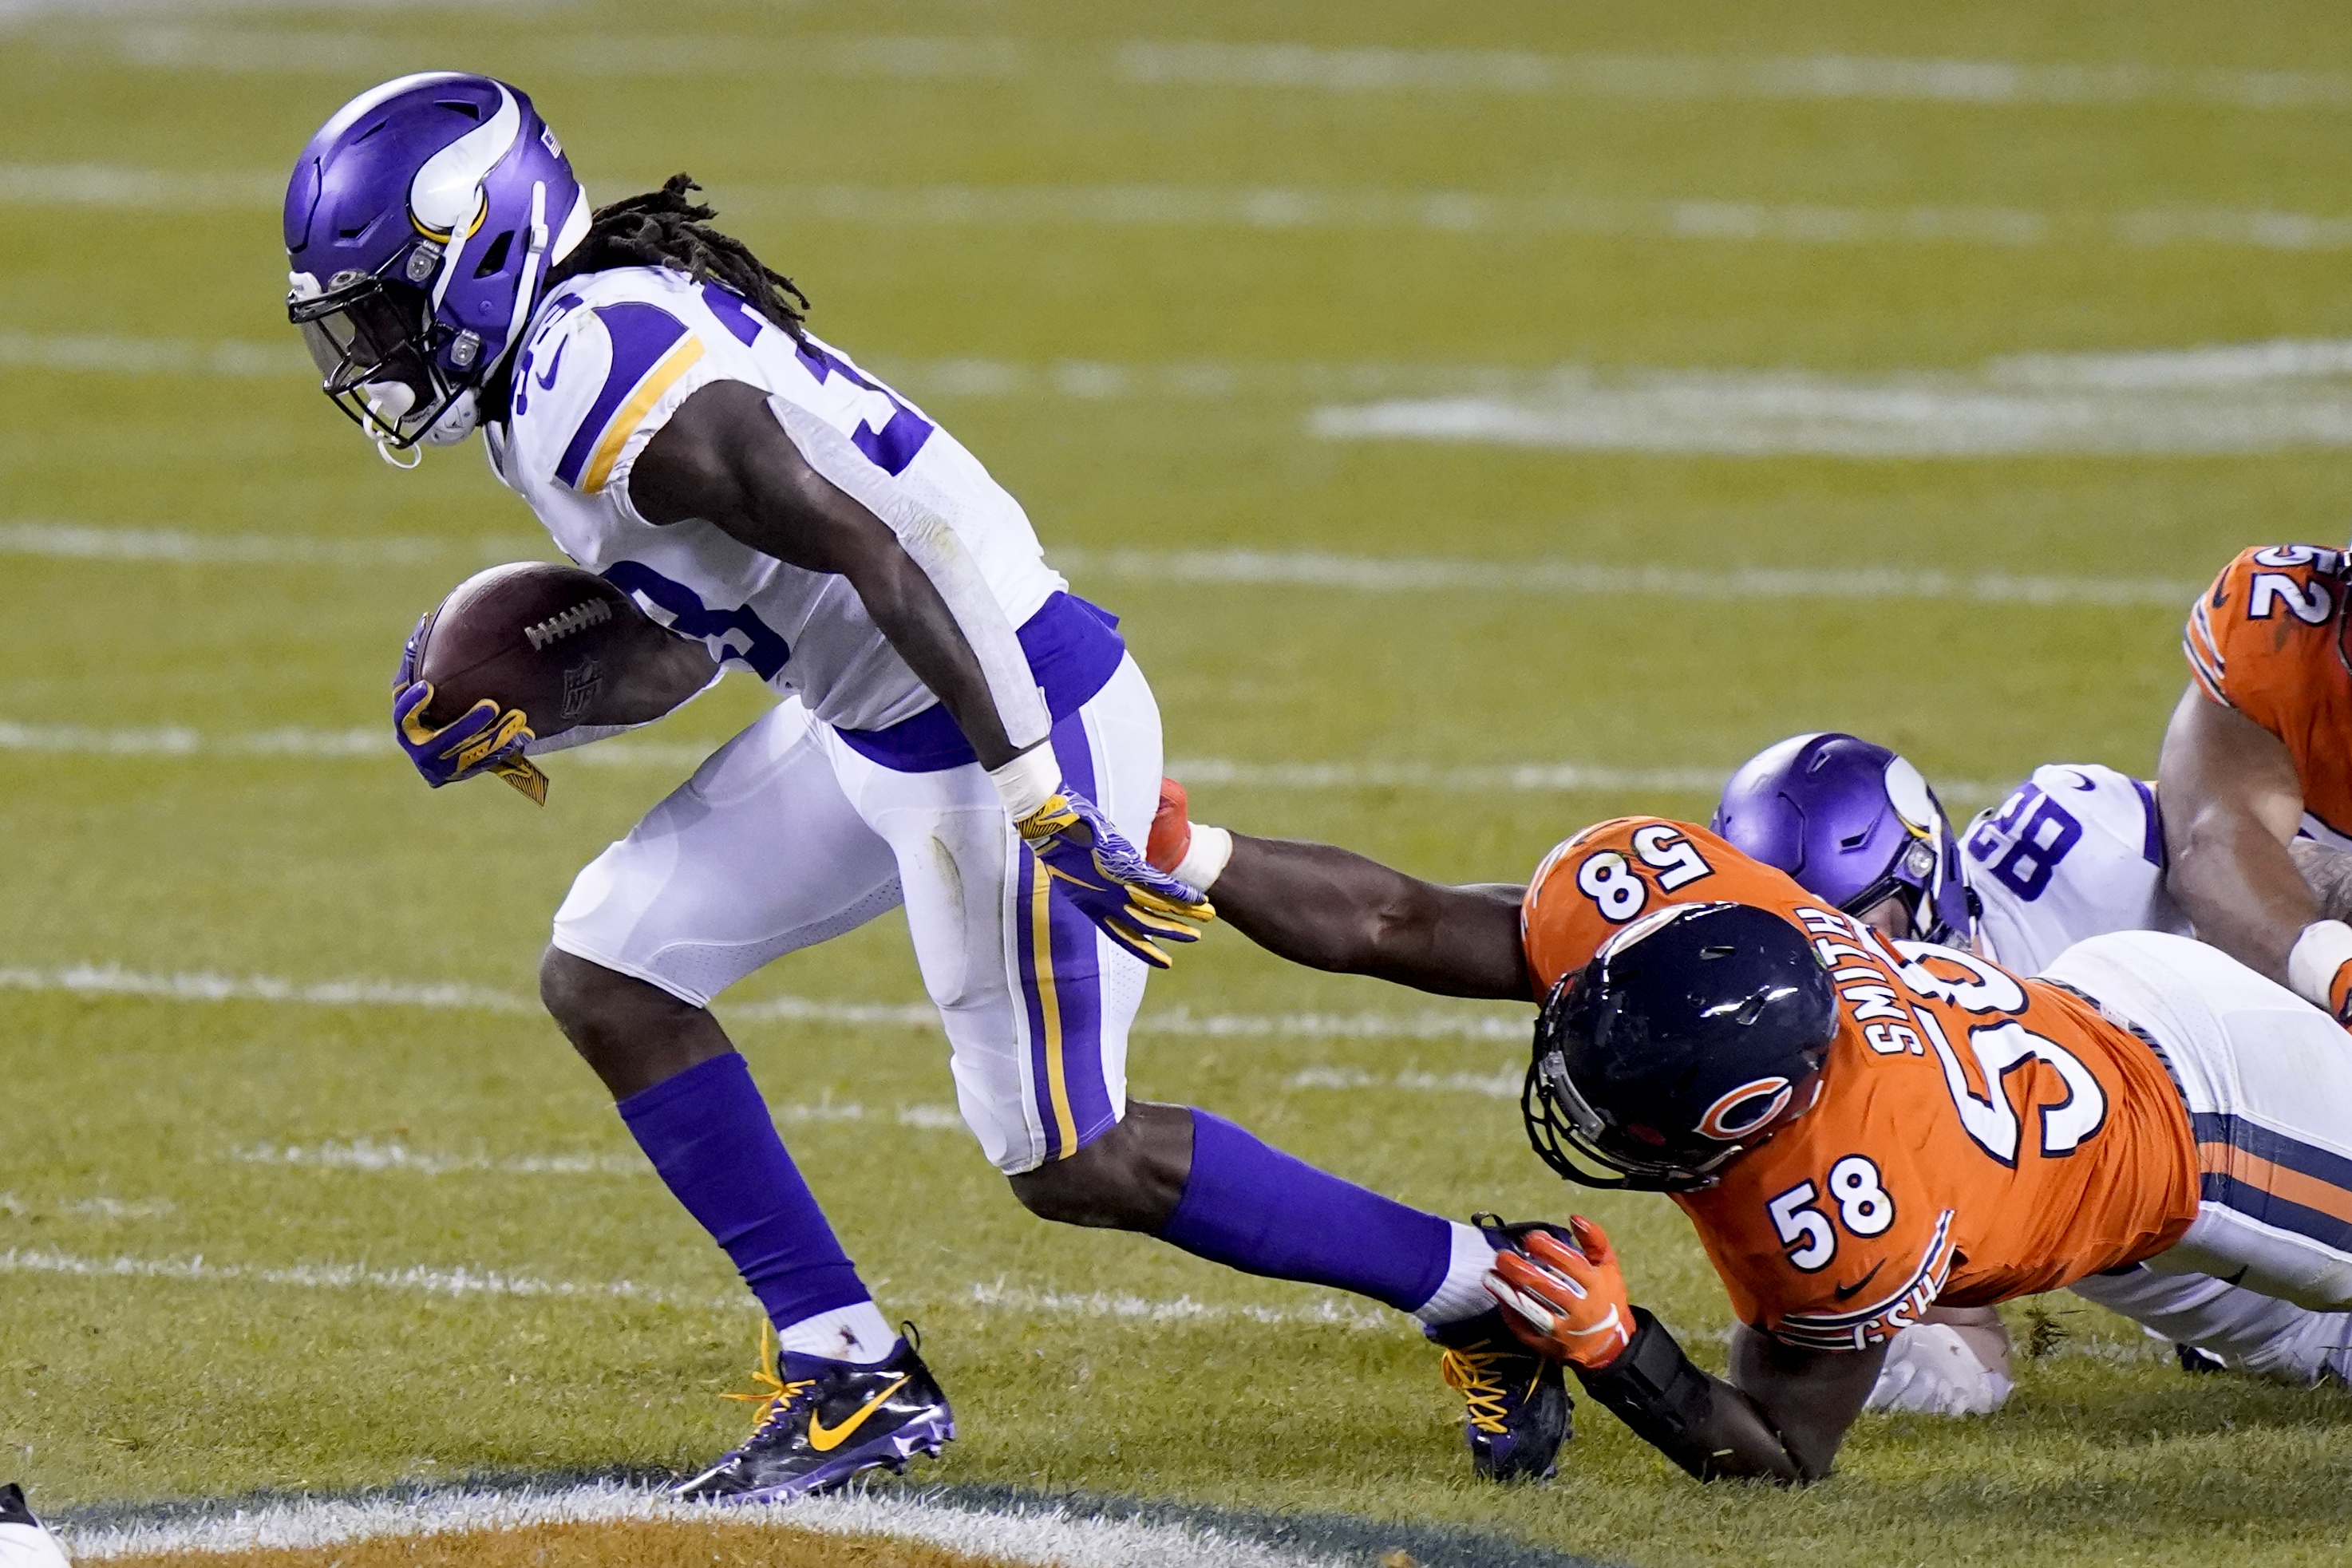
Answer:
(606, 366)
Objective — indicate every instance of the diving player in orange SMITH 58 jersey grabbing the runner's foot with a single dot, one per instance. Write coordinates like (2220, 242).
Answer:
(1857, 1130)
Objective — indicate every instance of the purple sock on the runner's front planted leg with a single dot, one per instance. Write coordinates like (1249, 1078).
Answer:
(709, 1134)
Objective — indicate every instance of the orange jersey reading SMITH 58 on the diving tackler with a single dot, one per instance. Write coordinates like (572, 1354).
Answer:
(1977, 1137)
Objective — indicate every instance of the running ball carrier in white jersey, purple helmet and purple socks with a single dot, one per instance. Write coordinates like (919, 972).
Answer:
(958, 735)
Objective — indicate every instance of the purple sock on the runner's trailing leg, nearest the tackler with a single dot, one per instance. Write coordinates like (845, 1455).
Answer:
(1264, 1212)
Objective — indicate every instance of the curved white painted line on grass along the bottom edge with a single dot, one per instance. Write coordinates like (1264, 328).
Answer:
(1020, 1534)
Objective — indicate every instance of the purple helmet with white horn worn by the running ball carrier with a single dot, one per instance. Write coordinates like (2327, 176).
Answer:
(422, 225)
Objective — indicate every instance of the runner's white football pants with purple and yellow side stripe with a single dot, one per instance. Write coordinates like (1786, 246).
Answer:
(787, 838)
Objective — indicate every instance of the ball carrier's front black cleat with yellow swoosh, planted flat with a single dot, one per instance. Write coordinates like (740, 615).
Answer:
(829, 1421)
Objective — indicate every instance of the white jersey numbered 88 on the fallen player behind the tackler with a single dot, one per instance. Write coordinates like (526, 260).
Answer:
(2073, 852)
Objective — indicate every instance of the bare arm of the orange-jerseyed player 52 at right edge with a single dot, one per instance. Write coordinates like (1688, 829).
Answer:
(2231, 808)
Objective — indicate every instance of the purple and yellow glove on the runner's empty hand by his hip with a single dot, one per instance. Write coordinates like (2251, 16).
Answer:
(1095, 866)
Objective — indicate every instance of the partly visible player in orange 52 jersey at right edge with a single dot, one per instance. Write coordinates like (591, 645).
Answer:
(2259, 765)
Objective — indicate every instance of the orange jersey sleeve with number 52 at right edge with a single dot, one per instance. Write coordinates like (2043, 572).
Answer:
(2266, 638)
